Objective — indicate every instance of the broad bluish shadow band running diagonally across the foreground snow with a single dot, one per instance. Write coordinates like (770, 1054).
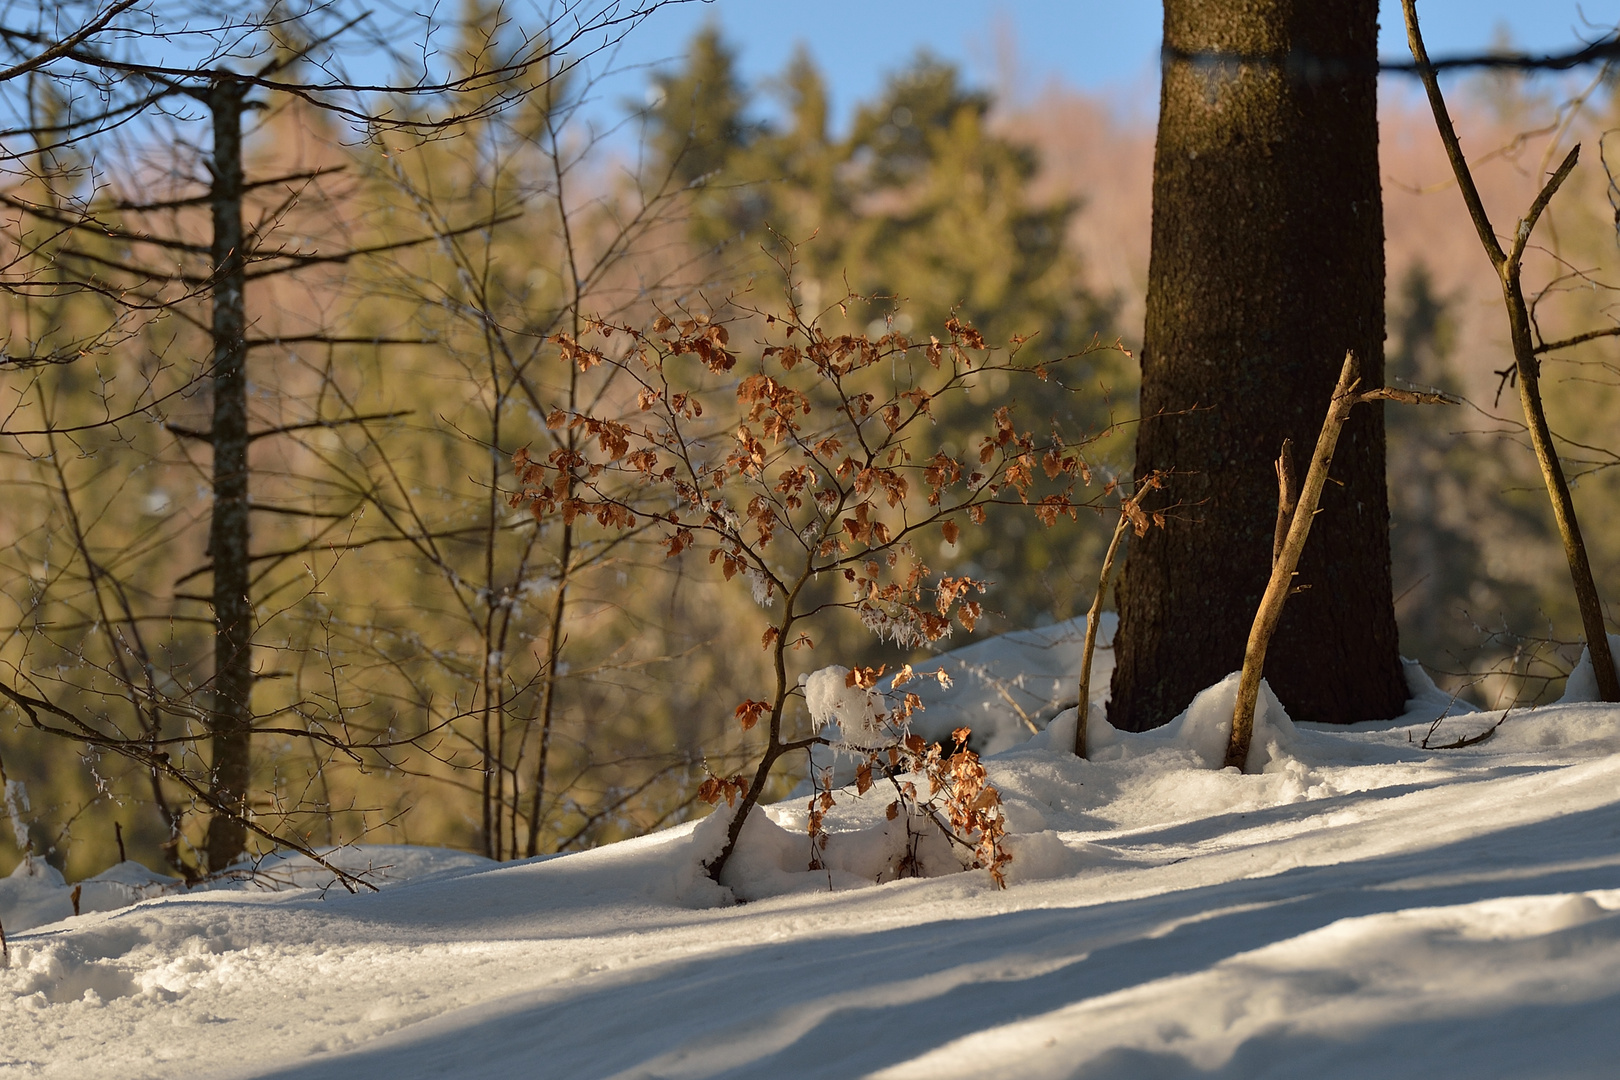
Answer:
(848, 1005)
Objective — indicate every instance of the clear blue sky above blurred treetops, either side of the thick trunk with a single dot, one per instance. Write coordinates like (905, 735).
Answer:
(1101, 46)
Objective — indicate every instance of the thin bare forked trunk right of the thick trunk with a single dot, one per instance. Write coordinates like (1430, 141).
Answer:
(1527, 367)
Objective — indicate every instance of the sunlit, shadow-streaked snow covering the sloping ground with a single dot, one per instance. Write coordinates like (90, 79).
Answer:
(1355, 908)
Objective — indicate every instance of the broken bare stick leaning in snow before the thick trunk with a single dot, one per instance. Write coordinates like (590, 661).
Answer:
(1294, 527)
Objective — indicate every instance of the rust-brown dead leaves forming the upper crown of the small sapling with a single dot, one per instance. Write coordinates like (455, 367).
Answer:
(808, 457)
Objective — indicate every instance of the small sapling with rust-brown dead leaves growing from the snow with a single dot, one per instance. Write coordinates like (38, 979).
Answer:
(808, 470)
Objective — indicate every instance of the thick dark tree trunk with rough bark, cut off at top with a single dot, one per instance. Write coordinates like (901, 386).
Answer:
(1268, 265)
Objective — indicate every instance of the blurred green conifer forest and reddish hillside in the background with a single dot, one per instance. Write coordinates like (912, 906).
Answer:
(534, 686)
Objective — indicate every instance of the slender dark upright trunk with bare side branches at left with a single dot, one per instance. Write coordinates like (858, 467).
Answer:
(232, 715)
